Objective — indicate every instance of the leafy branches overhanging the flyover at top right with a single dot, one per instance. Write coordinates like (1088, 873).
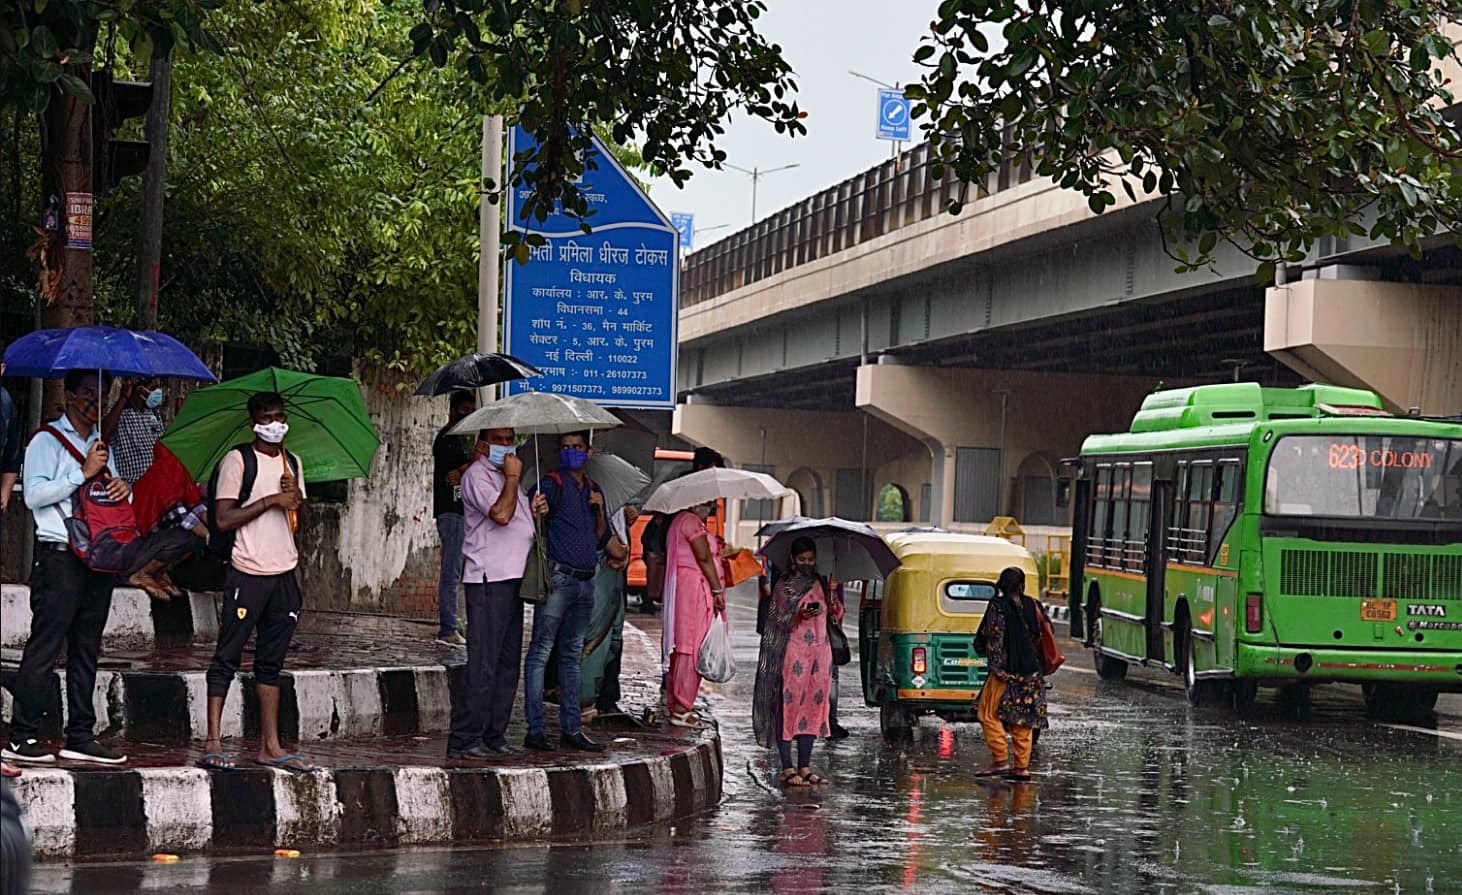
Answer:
(1268, 125)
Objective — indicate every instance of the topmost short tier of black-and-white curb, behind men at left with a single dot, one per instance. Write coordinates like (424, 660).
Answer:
(137, 621)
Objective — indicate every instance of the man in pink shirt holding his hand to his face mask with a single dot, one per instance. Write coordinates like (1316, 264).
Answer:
(499, 536)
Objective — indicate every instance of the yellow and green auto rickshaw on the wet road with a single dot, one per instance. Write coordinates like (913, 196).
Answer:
(917, 630)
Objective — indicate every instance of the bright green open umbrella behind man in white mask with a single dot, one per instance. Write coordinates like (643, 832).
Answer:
(330, 428)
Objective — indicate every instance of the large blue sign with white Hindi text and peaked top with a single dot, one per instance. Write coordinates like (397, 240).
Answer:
(597, 312)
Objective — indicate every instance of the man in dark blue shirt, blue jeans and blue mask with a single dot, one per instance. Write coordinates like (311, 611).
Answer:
(574, 511)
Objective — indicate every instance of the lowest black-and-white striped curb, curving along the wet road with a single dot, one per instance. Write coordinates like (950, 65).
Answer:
(128, 814)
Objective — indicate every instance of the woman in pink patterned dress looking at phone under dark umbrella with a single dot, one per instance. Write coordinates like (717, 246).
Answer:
(795, 669)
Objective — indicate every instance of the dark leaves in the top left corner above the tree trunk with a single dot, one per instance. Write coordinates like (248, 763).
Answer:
(39, 39)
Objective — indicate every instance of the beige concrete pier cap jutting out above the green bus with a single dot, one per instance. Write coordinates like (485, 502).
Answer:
(1404, 341)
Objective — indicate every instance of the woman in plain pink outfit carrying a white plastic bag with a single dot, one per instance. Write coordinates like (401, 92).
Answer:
(695, 594)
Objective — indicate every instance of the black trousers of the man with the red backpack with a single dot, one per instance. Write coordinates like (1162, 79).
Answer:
(69, 608)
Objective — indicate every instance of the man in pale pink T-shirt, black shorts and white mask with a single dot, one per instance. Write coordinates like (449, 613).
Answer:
(262, 590)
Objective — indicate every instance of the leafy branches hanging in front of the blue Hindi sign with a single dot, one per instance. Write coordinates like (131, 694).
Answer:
(663, 75)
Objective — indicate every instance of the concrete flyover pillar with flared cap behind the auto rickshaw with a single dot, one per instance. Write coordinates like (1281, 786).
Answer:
(951, 409)
